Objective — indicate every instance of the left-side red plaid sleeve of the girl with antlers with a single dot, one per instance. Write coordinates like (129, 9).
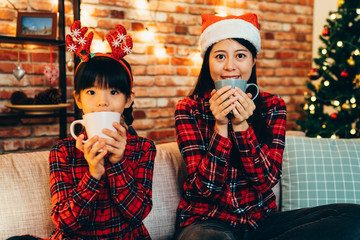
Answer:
(71, 202)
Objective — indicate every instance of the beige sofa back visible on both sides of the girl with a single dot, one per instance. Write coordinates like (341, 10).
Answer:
(26, 206)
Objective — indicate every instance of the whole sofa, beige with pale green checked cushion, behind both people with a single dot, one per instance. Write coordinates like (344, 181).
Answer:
(315, 172)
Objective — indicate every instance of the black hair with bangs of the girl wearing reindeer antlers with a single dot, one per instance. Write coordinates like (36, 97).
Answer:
(106, 72)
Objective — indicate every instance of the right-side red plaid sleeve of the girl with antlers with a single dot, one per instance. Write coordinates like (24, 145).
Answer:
(131, 188)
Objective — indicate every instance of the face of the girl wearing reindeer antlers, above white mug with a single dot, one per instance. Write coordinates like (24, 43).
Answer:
(97, 99)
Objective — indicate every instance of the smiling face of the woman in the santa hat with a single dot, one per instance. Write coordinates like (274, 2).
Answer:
(230, 59)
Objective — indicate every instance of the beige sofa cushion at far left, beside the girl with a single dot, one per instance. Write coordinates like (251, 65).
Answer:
(24, 194)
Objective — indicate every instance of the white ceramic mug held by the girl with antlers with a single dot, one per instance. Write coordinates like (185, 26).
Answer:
(95, 122)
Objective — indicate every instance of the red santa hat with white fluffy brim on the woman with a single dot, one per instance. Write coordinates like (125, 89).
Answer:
(216, 28)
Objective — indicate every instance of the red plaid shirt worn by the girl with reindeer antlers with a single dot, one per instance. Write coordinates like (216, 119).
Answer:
(110, 208)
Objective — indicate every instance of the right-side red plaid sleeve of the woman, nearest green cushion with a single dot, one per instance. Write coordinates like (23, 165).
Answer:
(260, 162)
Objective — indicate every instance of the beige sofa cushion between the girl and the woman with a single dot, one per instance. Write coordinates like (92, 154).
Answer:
(169, 176)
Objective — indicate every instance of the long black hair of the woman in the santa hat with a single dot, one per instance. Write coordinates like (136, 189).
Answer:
(205, 83)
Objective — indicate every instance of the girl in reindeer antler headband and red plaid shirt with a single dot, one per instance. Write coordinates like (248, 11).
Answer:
(106, 194)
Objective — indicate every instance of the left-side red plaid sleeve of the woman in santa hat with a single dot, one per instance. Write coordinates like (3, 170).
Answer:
(206, 162)
